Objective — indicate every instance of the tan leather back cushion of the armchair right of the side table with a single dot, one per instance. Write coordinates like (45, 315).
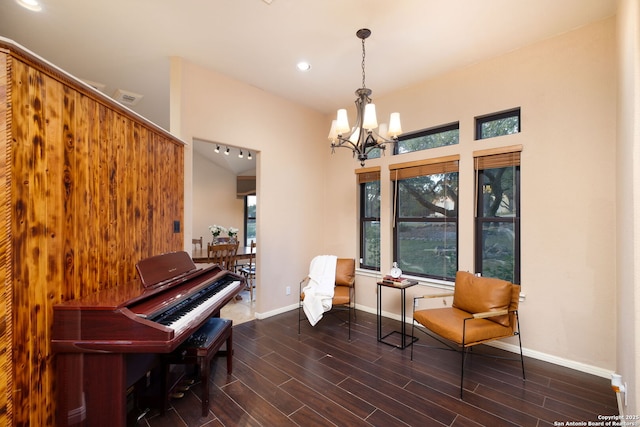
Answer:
(480, 294)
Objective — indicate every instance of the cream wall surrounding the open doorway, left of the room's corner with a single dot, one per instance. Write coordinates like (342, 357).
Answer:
(290, 169)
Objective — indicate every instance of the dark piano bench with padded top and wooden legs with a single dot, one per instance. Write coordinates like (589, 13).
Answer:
(200, 349)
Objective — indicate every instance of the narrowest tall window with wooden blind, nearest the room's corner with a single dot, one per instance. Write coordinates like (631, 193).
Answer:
(369, 181)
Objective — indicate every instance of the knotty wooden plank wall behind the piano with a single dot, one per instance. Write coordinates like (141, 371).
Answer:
(93, 190)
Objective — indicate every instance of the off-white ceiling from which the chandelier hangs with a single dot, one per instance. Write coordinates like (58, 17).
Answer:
(126, 44)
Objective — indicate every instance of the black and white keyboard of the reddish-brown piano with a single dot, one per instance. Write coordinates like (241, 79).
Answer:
(180, 316)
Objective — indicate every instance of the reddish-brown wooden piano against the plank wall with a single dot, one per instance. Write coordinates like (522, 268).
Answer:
(108, 342)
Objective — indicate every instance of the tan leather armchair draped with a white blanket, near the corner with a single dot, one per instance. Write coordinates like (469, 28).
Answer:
(344, 297)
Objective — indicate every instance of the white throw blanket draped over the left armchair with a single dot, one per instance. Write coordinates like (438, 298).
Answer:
(318, 294)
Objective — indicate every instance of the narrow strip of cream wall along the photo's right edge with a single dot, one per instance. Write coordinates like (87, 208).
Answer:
(628, 200)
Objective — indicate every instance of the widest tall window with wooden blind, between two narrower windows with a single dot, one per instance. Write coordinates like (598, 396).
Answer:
(425, 235)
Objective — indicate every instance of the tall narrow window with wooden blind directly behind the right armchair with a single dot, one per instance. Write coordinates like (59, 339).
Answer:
(497, 246)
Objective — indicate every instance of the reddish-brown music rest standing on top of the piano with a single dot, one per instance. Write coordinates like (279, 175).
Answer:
(160, 269)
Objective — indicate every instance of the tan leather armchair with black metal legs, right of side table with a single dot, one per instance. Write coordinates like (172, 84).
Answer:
(484, 309)
